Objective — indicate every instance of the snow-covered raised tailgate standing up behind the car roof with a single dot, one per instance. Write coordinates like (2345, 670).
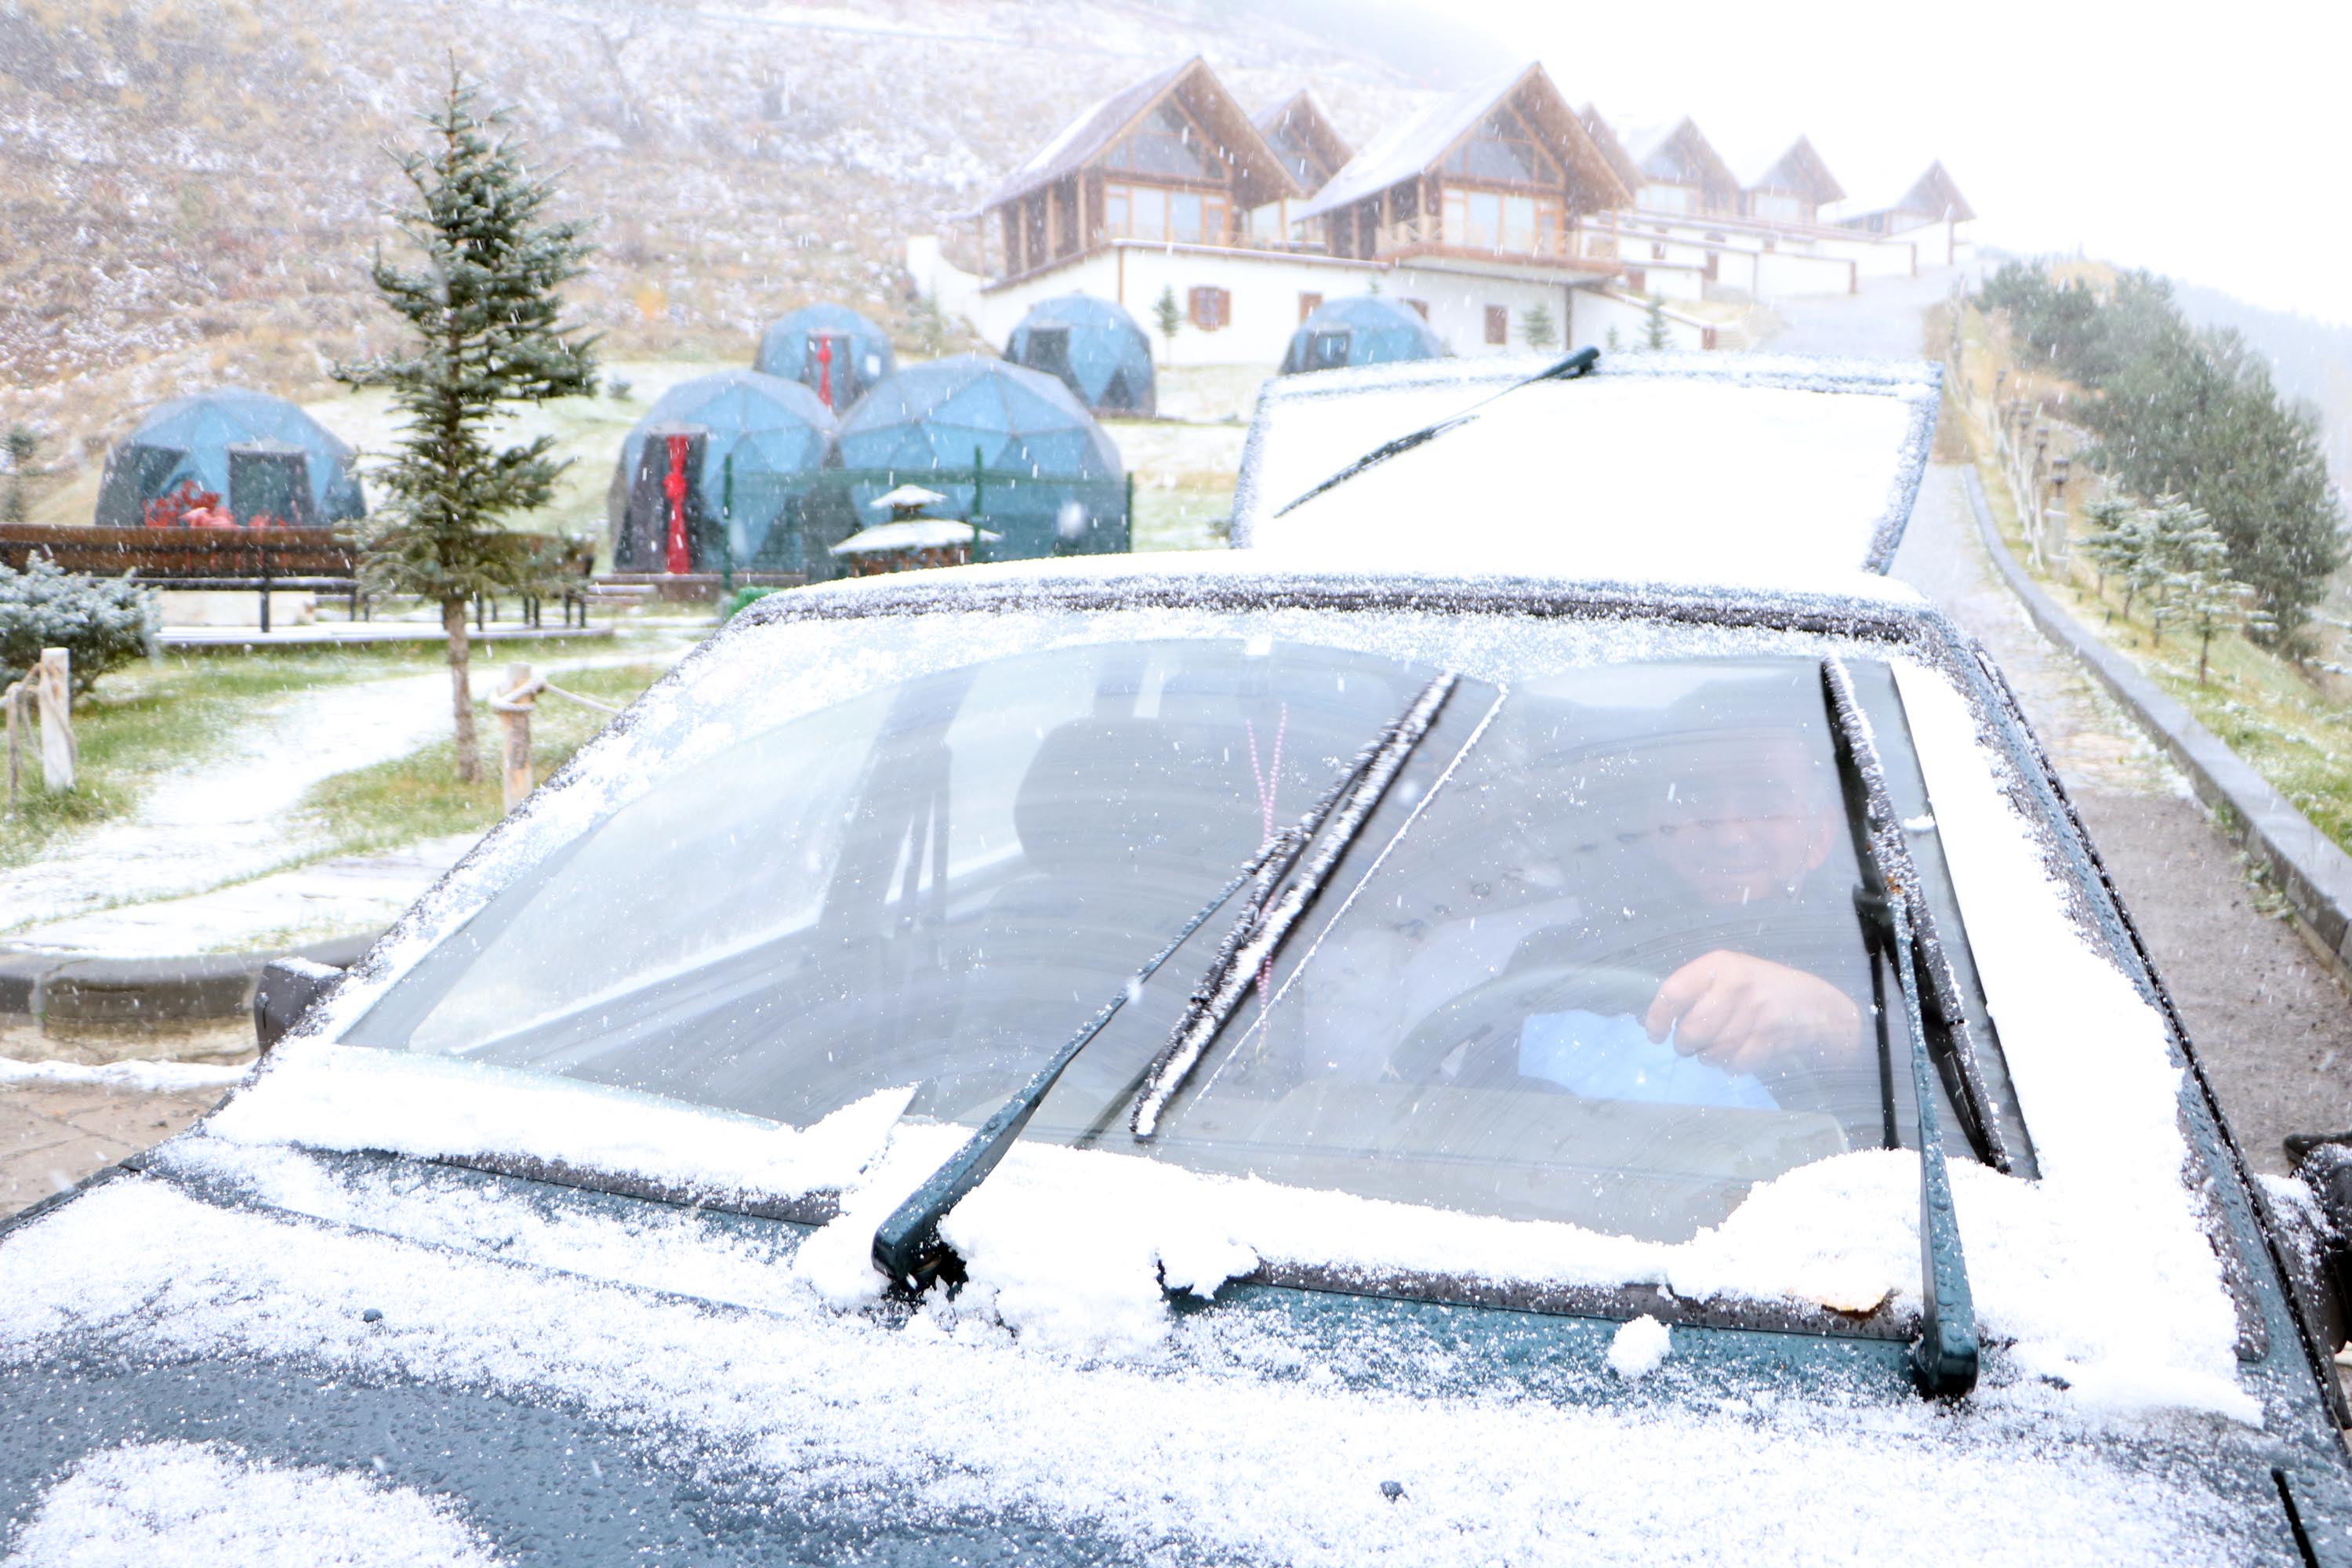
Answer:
(1753, 469)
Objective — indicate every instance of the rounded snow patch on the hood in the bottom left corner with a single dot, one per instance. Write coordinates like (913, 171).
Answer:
(185, 1503)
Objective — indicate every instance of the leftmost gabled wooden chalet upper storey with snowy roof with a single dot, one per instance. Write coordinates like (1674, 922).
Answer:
(1172, 159)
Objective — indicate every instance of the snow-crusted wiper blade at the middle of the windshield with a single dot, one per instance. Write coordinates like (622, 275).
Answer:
(1257, 939)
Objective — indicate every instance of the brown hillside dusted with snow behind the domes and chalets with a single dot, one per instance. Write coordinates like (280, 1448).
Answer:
(192, 187)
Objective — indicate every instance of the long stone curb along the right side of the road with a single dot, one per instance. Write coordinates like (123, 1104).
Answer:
(2304, 862)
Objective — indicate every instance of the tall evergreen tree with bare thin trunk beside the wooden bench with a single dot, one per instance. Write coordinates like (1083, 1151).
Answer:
(488, 335)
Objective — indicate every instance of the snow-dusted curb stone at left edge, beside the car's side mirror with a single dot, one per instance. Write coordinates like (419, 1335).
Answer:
(194, 989)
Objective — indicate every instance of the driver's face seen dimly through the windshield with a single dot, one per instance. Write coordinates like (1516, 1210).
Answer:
(1746, 831)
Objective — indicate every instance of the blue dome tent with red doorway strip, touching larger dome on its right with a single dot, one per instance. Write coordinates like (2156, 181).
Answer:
(759, 453)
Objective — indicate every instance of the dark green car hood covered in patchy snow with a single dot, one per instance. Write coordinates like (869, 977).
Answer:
(288, 1348)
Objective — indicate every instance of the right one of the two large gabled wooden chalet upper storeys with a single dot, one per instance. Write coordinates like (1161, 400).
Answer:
(1499, 173)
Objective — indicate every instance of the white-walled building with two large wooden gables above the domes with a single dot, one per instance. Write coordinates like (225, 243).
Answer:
(1471, 213)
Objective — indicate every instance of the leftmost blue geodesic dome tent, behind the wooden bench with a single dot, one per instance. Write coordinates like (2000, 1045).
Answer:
(260, 455)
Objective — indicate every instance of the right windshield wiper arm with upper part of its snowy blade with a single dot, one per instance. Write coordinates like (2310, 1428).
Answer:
(1946, 1353)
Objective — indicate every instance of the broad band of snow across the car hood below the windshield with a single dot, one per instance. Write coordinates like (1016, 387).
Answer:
(1297, 1419)
